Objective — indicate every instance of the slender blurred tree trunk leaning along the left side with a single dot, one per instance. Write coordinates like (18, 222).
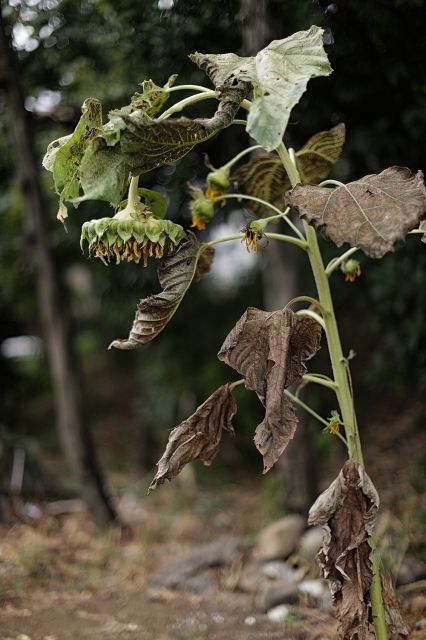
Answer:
(74, 436)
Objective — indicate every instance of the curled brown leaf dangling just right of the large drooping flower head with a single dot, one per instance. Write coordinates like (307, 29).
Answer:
(175, 274)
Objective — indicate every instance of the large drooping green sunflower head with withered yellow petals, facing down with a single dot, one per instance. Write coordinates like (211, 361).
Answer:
(131, 238)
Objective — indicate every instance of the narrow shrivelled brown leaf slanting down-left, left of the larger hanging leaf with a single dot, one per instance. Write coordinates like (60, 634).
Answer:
(198, 436)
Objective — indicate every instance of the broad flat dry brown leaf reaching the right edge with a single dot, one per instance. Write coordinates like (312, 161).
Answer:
(374, 214)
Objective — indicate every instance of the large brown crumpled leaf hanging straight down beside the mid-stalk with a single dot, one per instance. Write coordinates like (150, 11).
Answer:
(281, 339)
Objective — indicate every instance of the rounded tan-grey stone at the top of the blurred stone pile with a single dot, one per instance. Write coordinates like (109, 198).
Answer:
(279, 539)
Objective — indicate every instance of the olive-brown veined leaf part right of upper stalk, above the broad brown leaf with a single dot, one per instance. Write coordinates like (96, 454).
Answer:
(315, 158)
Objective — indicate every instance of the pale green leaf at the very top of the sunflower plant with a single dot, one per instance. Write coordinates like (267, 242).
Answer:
(279, 74)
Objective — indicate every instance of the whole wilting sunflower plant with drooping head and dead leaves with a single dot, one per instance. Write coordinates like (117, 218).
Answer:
(269, 349)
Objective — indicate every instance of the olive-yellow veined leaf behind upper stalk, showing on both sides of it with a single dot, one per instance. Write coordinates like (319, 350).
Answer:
(265, 177)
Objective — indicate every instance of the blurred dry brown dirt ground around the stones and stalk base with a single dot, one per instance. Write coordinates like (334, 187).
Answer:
(63, 579)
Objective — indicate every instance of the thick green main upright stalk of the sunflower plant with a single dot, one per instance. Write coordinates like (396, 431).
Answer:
(343, 391)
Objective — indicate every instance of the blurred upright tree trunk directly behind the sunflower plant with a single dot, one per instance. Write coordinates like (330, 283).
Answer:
(280, 285)
